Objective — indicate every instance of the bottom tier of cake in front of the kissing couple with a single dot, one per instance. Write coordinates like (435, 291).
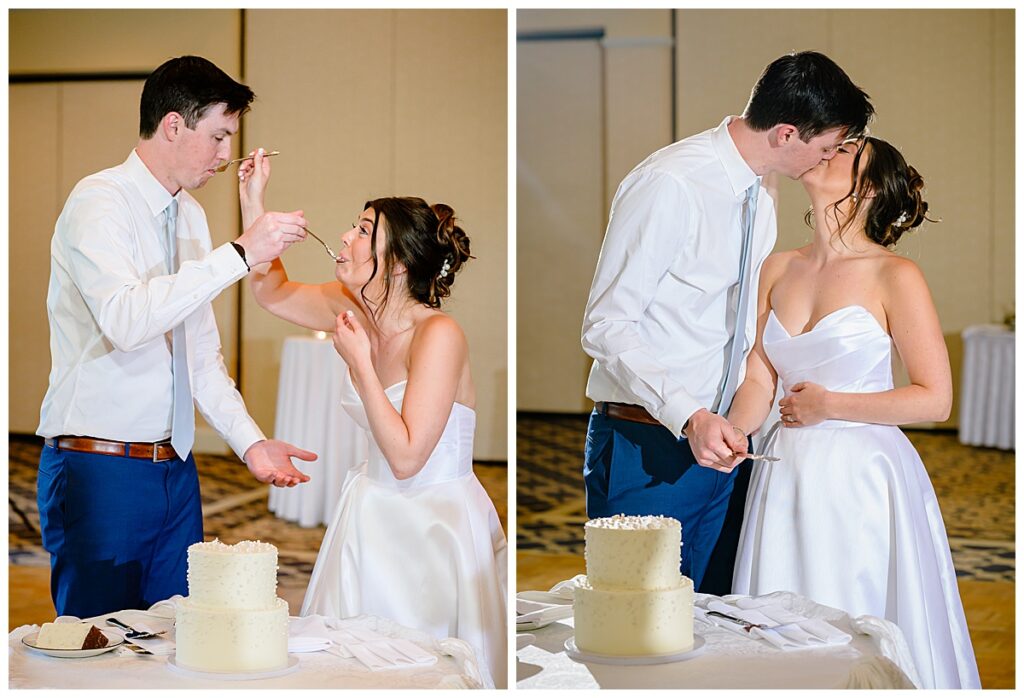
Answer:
(632, 624)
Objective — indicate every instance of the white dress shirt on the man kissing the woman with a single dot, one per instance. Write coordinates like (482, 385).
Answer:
(663, 306)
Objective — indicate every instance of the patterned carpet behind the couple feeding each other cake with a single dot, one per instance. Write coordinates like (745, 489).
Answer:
(235, 508)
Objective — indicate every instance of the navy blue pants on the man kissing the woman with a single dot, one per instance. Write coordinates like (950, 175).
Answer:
(632, 468)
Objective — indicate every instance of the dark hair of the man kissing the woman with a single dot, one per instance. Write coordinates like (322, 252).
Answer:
(809, 92)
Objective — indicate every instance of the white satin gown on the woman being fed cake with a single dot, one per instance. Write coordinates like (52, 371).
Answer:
(428, 552)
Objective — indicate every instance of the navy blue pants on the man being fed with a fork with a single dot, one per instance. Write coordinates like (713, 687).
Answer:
(117, 530)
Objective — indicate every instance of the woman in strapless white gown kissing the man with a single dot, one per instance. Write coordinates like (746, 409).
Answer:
(848, 516)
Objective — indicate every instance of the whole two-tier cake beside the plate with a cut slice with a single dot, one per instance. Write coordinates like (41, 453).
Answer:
(233, 621)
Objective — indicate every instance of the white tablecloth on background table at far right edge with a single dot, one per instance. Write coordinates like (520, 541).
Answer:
(987, 410)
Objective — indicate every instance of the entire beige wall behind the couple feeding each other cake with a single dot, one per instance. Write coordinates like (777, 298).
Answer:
(362, 104)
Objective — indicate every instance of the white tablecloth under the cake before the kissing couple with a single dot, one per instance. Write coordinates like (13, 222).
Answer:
(732, 661)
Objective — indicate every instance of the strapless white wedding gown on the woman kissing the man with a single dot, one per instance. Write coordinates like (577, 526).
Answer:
(848, 516)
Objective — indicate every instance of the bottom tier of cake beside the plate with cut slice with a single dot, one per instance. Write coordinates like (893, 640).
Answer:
(230, 641)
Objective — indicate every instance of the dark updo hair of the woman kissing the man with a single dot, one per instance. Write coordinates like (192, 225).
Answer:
(888, 191)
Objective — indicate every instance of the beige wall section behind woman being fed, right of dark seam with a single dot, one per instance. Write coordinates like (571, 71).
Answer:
(381, 104)
